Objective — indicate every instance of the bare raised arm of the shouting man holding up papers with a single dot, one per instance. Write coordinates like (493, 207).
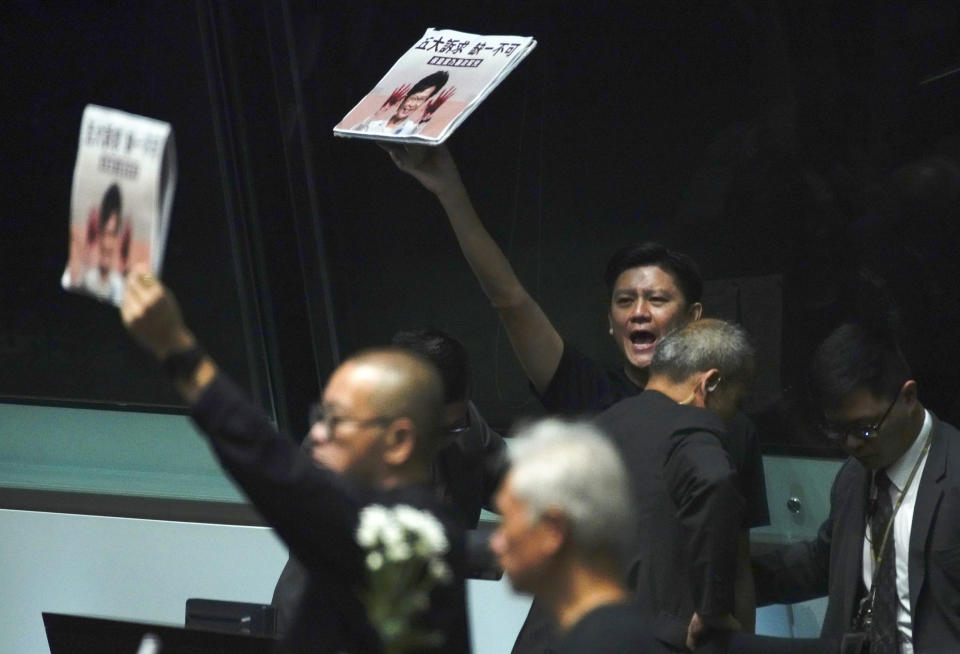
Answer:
(536, 342)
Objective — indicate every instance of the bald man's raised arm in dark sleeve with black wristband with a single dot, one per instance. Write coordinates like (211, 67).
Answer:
(313, 510)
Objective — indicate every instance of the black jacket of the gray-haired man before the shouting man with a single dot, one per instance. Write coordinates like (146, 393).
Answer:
(689, 510)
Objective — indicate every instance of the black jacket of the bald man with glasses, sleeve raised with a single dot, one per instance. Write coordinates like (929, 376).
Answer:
(316, 513)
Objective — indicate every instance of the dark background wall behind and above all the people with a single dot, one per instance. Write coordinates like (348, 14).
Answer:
(766, 139)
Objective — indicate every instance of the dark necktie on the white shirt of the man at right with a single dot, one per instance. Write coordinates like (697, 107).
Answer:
(884, 637)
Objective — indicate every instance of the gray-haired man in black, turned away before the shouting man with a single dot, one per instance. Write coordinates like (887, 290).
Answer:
(690, 569)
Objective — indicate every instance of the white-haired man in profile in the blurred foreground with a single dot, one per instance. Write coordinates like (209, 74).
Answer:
(566, 527)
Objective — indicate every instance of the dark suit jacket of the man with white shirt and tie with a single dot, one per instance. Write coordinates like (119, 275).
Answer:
(831, 563)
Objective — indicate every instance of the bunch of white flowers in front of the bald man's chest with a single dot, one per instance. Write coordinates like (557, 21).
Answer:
(404, 550)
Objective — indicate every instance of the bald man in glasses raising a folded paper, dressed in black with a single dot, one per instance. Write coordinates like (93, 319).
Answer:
(373, 437)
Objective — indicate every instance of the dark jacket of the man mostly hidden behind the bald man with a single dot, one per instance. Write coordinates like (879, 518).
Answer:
(467, 473)
